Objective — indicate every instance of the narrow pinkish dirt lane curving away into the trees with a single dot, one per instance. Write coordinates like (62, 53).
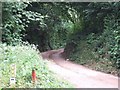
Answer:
(78, 75)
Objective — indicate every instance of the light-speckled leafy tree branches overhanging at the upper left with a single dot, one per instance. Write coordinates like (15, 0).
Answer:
(15, 21)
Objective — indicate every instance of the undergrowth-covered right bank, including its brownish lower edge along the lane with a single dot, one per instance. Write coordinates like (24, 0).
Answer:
(100, 51)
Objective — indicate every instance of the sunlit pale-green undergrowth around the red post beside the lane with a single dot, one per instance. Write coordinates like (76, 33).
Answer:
(25, 57)
